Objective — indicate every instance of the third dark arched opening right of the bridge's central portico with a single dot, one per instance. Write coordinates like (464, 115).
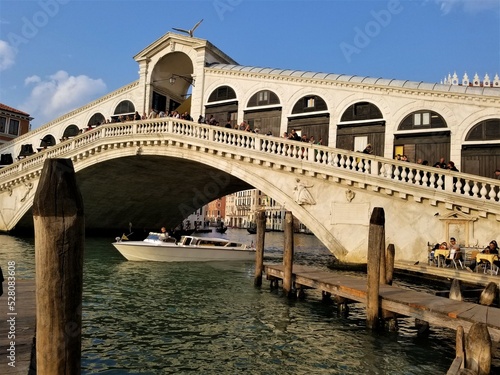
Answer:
(310, 118)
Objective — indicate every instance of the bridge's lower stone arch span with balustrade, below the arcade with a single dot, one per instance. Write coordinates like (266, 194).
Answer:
(156, 172)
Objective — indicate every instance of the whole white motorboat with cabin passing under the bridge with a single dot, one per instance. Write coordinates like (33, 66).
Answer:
(188, 249)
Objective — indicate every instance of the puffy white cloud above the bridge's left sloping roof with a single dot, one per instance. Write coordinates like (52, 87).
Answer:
(60, 93)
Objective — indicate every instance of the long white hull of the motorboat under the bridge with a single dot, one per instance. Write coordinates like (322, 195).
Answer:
(140, 251)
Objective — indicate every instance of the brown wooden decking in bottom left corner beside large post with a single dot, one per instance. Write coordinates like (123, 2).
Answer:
(25, 318)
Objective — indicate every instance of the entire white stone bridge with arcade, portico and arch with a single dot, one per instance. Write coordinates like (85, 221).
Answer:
(158, 170)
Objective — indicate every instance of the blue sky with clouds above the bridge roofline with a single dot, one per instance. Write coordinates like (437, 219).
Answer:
(57, 55)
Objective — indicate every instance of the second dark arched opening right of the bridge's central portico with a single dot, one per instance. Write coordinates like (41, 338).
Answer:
(263, 113)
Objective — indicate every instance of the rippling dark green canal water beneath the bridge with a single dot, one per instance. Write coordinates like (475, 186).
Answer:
(208, 318)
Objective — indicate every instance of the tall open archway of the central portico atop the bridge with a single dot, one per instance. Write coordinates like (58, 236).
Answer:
(172, 79)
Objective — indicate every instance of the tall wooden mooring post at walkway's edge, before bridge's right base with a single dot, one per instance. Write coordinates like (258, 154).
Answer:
(376, 245)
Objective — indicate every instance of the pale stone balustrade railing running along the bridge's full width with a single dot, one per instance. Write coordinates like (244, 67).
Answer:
(459, 184)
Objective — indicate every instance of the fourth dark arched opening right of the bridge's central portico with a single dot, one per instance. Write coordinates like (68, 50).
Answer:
(362, 124)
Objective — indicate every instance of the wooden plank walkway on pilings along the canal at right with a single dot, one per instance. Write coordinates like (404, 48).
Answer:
(435, 310)
